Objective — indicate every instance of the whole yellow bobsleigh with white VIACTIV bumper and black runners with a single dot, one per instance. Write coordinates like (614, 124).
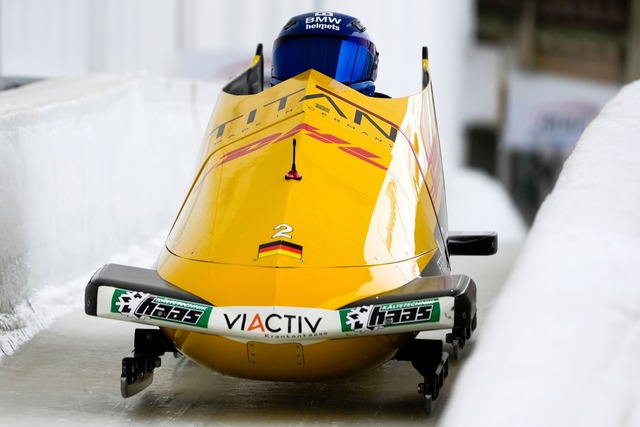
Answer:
(312, 244)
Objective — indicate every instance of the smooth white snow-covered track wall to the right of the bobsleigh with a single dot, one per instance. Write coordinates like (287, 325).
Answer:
(562, 344)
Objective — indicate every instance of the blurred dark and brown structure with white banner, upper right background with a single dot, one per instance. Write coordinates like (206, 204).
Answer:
(560, 62)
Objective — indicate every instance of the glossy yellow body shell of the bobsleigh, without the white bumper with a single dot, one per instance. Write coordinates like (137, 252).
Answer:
(361, 221)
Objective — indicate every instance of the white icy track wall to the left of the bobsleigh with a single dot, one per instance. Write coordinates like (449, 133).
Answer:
(88, 167)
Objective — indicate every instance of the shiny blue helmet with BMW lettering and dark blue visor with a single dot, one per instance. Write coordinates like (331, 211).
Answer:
(333, 43)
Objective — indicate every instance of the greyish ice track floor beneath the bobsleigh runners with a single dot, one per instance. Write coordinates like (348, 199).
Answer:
(69, 374)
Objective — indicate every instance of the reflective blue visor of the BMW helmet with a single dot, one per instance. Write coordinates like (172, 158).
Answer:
(346, 59)
